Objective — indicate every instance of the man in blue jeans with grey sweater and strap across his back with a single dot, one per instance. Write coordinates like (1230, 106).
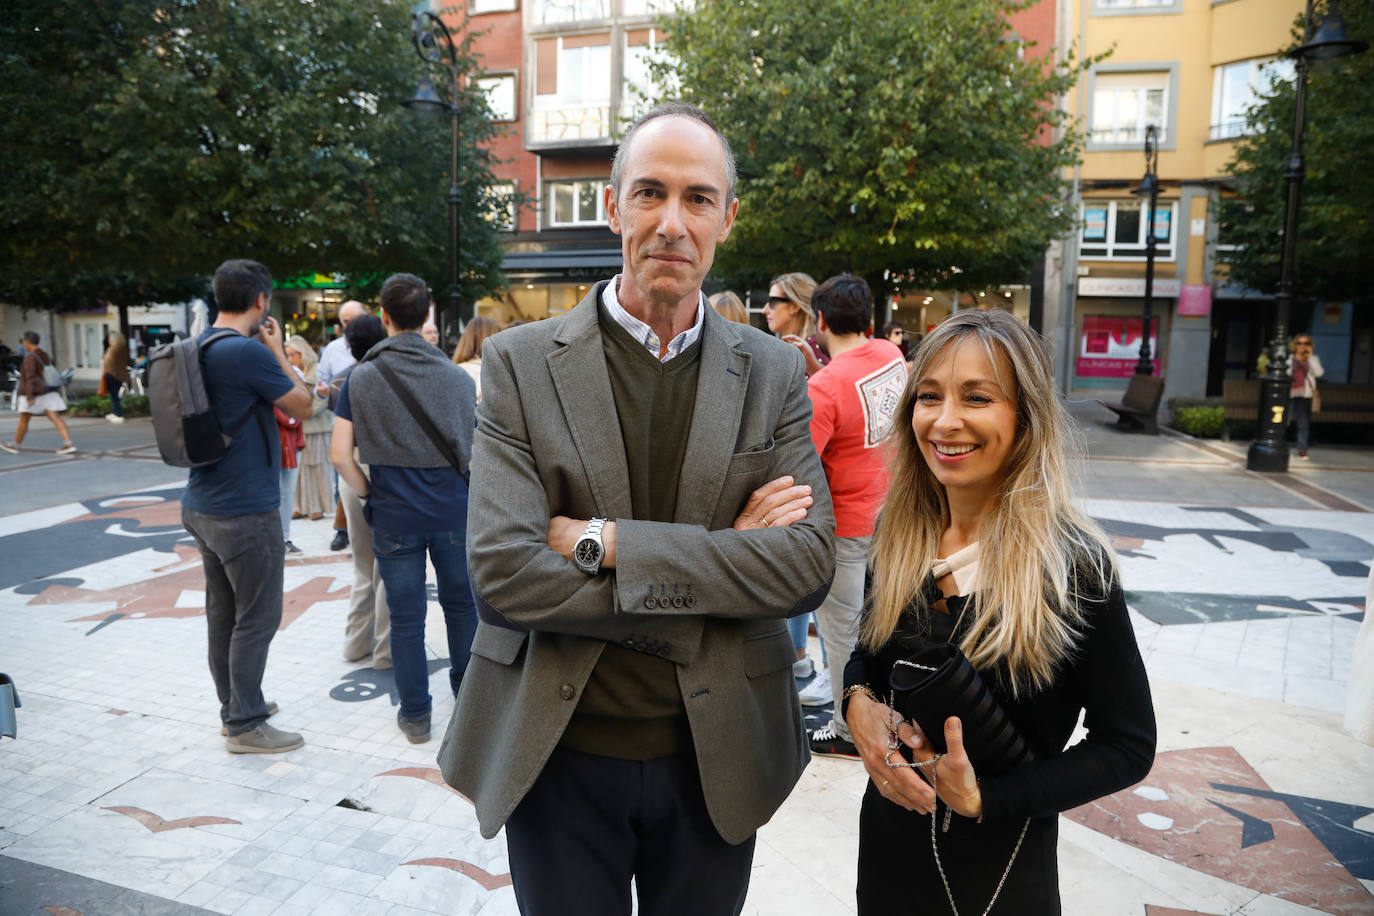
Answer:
(416, 492)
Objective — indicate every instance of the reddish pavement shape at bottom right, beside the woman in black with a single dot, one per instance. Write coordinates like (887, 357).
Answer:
(1291, 863)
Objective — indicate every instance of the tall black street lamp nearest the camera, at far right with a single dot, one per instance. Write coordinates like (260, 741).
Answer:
(1269, 451)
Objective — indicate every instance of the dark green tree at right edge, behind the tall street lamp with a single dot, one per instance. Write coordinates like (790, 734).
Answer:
(1336, 220)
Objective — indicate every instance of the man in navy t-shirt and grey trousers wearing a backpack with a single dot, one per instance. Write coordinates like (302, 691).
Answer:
(232, 506)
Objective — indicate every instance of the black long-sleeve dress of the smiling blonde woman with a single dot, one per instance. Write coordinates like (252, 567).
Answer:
(1105, 678)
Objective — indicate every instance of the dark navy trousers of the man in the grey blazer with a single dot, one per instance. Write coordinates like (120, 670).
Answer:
(592, 823)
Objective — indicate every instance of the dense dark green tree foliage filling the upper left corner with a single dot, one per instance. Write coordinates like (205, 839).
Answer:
(146, 141)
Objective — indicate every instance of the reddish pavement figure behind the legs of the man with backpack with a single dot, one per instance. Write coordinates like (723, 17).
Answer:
(157, 597)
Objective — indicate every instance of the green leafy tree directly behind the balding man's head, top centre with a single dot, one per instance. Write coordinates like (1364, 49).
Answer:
(906, 142)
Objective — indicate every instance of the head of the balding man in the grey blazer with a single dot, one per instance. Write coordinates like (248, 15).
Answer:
(673, 211)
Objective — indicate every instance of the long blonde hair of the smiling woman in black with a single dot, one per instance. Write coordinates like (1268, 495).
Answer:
(1038, 549)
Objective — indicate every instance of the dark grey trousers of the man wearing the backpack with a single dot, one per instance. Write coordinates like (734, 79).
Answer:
(244, 558)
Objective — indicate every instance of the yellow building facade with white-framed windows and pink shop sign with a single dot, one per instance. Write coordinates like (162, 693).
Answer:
(1191, 68)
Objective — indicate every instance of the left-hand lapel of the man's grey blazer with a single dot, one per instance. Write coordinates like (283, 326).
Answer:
(583, 385)
